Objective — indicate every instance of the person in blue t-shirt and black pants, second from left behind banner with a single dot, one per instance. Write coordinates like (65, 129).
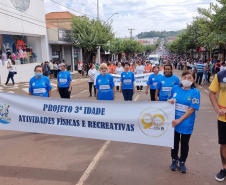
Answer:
(64, 82)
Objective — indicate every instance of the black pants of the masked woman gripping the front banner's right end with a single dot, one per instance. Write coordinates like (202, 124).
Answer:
(184, 140)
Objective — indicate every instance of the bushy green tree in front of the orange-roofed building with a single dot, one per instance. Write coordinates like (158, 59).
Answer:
(89, 34)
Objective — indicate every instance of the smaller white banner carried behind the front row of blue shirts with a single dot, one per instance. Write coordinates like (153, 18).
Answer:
(141, 80)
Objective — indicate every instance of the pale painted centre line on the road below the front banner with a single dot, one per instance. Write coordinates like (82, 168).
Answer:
(93, 163)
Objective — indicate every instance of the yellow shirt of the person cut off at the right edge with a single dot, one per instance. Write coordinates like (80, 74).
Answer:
(219, 84)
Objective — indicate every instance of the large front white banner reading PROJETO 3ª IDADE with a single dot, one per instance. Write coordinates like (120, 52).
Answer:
(136, 122)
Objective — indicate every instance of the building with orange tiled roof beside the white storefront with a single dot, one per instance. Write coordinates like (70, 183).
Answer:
(59, 27)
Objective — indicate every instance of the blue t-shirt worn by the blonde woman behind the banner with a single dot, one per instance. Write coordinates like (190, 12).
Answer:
(104, 84)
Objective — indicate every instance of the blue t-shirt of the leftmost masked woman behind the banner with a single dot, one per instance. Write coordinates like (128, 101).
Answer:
(40, 86)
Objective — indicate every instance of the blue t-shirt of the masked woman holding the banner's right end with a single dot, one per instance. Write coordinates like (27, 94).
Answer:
(185, 100)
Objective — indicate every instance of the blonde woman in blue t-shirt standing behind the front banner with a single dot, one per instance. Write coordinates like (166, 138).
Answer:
(105, 87)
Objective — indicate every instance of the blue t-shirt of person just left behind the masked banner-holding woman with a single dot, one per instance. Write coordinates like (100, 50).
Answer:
(165, 85)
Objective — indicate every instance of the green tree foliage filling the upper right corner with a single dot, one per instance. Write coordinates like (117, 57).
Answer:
(206, 30)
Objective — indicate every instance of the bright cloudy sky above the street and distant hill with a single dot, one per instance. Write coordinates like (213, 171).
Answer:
(141, 15)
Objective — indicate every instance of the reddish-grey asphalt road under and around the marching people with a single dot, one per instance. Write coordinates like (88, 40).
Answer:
(40, 159)
